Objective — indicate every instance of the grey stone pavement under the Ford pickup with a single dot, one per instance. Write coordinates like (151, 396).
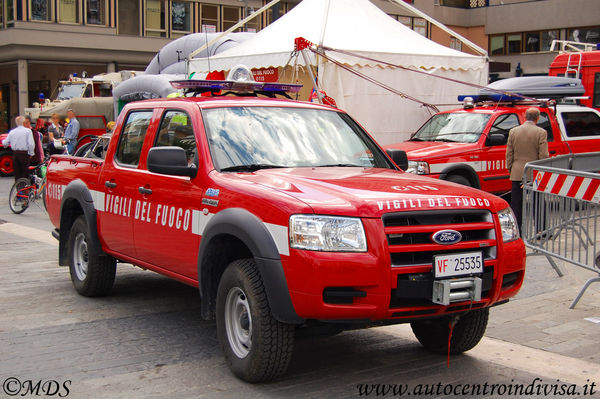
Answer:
(148, 341)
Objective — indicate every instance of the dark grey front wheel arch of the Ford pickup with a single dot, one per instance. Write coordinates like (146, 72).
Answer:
(233, 234)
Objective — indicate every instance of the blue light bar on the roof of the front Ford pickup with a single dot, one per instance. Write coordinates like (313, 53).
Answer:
(216, 85)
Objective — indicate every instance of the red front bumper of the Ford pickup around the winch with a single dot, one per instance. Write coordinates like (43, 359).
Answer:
(367, 287)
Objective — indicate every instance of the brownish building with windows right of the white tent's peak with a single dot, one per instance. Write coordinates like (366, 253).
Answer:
(516, 33)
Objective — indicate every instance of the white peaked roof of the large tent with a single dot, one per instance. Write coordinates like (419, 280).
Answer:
(353, 25)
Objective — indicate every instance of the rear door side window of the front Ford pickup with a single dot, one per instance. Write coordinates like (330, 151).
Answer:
(132, 138)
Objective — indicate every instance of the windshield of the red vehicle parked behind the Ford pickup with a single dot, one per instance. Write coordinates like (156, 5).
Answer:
(453, 127)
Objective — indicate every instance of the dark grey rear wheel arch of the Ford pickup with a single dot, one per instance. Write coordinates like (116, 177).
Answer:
(76, 201)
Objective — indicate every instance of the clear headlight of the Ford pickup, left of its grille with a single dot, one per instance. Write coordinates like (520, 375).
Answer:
(327, 233)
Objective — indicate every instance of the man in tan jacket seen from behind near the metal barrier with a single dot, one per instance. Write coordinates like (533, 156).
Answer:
(526, 143)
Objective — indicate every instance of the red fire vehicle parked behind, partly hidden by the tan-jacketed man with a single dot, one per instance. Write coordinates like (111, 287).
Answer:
(468, 146)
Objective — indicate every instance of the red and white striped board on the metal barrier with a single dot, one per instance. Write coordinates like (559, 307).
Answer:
(582, 188)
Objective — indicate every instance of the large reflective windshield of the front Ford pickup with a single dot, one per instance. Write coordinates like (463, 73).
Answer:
(251, 138)
